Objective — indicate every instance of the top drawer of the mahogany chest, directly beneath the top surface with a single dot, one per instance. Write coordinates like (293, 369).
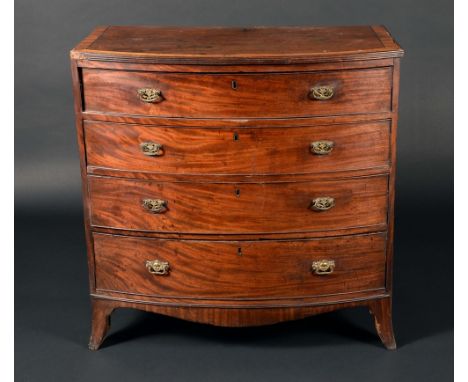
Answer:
(238, 95)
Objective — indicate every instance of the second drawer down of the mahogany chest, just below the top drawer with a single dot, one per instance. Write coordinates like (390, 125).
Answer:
(292, 150)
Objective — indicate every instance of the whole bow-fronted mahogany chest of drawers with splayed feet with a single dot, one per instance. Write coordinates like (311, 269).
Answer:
(238, 176)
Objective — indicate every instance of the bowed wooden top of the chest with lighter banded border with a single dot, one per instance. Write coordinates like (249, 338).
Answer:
(218, 45)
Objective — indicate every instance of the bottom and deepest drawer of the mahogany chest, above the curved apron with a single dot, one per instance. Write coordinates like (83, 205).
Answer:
(239, 269)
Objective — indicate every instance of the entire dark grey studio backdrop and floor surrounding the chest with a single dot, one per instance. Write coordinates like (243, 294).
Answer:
(51, 291)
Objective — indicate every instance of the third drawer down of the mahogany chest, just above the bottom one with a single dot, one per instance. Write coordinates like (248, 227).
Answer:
(227, 208)
